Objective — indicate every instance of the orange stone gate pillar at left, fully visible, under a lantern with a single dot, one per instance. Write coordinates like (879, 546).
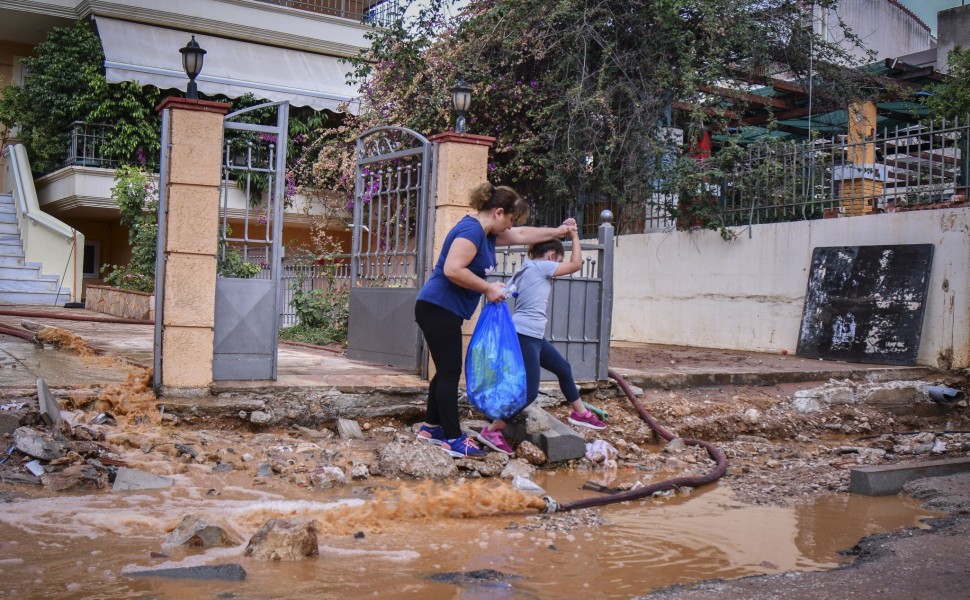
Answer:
(190, 243)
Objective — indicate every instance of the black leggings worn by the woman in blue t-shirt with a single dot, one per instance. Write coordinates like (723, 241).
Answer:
(442, 332)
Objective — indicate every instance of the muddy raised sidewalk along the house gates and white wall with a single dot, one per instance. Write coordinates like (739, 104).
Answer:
(302, 367)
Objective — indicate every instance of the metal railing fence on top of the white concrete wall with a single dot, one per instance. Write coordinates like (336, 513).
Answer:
(905, 167)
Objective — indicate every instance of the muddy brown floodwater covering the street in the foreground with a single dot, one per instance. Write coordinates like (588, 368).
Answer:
(86, 546)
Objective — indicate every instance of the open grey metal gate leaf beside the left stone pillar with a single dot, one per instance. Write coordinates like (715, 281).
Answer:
(247, 316)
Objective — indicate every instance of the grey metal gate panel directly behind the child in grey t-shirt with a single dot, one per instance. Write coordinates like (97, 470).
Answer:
(581, 306)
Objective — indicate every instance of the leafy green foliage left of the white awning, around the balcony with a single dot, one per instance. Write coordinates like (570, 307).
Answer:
(65, 82)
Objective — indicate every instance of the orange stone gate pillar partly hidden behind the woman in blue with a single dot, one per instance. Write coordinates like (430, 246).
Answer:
(461, 163)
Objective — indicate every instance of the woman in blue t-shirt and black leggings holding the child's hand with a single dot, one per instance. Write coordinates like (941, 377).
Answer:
(452, 293)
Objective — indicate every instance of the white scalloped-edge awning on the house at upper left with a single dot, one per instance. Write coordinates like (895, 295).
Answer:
(150, 55)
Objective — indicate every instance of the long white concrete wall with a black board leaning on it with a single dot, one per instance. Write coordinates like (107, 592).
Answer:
(694, 288)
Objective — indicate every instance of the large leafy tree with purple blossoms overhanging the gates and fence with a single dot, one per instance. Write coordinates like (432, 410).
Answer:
(574, 90)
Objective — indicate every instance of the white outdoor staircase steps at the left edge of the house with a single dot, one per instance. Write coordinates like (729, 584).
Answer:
(21, 282)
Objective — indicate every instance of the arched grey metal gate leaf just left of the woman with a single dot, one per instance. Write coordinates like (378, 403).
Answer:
(389, 247)
